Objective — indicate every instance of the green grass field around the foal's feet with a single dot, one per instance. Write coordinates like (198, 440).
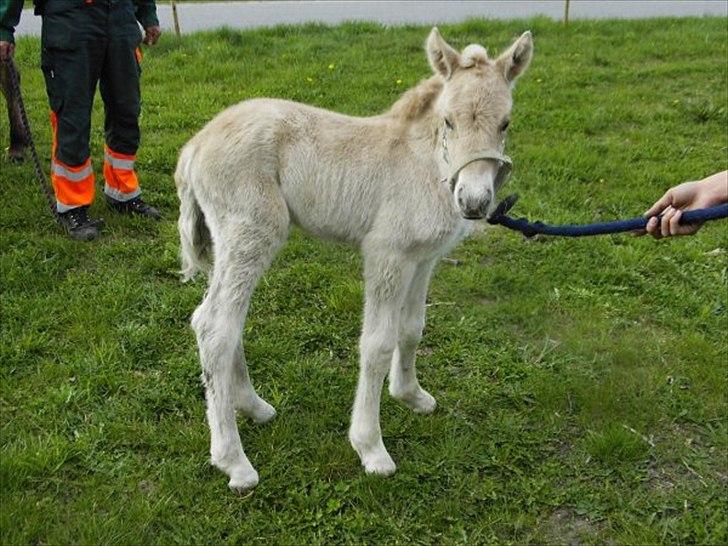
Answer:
(581, 383)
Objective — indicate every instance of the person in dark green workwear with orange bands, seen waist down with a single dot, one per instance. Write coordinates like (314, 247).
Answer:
(85, 43)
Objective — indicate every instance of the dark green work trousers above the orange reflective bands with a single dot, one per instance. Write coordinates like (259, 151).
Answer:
(92, 43)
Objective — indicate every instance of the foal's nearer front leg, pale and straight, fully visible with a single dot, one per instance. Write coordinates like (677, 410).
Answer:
(386, 281)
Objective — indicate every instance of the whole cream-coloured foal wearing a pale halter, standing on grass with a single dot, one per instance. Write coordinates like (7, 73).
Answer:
(404, 186)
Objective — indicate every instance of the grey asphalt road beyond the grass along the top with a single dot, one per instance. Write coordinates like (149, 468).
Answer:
(205, 16)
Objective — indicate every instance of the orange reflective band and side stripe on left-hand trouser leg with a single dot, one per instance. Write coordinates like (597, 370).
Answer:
(74, 186)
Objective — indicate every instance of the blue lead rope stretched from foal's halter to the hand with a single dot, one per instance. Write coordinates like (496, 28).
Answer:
(530, 229)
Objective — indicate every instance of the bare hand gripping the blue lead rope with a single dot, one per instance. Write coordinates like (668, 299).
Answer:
(700, 194)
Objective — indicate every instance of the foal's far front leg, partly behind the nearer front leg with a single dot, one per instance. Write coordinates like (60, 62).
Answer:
(403, 384)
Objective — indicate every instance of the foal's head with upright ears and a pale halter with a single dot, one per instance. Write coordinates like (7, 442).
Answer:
(473, 113)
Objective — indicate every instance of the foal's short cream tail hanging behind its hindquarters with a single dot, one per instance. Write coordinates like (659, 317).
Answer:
(195, 240)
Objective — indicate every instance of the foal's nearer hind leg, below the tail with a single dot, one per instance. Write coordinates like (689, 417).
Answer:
(243, 251)
